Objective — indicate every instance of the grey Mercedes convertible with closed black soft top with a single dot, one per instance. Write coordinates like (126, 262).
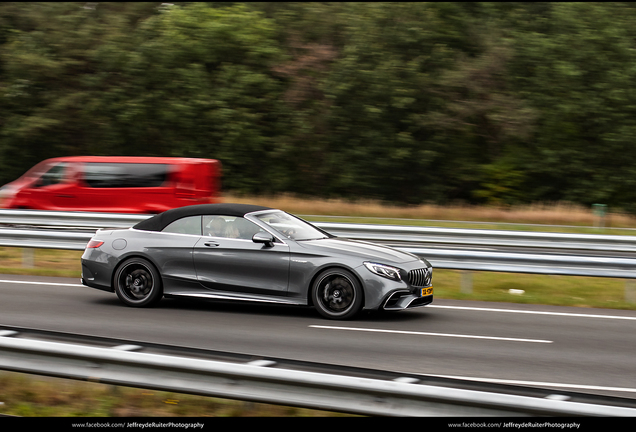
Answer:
(252, 253)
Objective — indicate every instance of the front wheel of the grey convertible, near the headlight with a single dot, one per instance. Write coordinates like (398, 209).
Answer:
(337, 294)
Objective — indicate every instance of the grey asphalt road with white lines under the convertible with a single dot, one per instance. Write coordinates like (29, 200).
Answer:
(575, 349)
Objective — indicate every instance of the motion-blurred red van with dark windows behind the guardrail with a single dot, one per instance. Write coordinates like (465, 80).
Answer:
(114, 184)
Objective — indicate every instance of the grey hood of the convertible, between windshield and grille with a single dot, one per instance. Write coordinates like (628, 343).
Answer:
(365, 250)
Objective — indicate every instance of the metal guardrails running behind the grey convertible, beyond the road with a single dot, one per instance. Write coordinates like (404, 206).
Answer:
(80, 226)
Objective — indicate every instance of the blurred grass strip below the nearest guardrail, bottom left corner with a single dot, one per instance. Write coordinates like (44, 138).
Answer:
(38, 396)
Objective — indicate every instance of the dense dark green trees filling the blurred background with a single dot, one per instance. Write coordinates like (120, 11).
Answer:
(498, 103)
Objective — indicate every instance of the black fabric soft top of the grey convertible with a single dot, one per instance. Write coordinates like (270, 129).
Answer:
(160, 221)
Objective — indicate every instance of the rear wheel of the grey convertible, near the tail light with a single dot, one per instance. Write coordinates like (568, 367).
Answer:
(137, 283)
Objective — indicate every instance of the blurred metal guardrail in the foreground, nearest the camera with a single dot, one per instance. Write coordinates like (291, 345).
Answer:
(257, 382)
